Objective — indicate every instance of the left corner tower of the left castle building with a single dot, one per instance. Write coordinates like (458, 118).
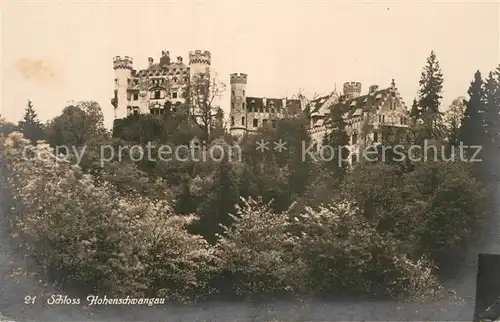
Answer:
(123, 72)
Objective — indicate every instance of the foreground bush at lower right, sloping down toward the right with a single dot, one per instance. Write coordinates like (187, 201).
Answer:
(346, 255)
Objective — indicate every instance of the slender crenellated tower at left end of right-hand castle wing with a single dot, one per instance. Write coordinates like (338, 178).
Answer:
(238, 110)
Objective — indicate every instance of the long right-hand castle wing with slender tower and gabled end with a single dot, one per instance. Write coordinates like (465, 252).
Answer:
(365, 115)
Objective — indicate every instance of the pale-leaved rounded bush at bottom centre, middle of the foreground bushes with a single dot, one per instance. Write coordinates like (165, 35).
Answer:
(256, 253)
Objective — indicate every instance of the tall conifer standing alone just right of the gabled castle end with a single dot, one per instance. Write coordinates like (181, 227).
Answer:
(429, 95)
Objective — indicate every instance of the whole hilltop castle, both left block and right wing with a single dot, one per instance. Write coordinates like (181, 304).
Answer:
(148, 91)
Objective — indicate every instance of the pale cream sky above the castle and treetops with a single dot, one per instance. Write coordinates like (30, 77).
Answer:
(54, 52)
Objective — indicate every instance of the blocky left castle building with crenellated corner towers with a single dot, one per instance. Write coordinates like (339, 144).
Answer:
(147, 90)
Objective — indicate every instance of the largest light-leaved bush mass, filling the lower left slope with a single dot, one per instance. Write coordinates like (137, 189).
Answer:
(92, 238)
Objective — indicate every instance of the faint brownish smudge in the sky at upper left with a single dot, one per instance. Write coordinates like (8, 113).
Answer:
(39, 71)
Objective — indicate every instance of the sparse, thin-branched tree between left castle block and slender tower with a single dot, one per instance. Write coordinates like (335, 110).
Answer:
(202, 93)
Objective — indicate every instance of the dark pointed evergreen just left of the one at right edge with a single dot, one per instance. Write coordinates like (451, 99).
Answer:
(472, 129)
